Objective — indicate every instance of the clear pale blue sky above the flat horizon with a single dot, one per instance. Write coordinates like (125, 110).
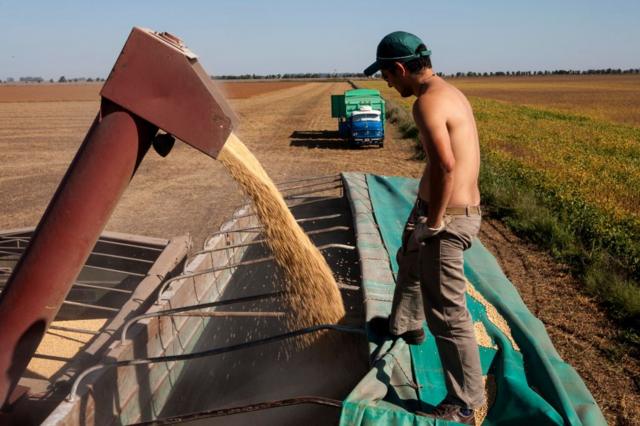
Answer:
(83, 38)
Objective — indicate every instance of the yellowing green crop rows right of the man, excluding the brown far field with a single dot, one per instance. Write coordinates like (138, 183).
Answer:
(583, 172)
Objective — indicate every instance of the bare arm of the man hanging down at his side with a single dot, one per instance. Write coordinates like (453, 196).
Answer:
(437, 144)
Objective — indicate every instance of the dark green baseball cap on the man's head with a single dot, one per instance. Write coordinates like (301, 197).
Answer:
(399, 46)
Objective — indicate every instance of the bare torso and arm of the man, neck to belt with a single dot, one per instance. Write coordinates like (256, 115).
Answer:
(450, 140)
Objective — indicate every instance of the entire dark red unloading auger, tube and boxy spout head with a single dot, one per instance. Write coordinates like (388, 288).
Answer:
(156, 84)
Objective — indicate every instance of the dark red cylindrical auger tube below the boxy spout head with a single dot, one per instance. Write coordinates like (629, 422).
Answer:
(66, 234)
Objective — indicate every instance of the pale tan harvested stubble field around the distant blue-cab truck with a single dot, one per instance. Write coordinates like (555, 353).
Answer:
(290, 131)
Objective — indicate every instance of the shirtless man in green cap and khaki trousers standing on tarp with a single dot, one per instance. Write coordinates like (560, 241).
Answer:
(444, 220)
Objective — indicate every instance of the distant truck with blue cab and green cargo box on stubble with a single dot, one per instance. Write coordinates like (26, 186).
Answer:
(361, 116)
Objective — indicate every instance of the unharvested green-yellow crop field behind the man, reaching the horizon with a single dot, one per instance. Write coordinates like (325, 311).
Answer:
(563, 173)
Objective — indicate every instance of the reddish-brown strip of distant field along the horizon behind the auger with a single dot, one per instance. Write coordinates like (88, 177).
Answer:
(91, 91)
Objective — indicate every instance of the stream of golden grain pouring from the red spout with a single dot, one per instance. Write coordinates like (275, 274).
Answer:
(312, 292)
